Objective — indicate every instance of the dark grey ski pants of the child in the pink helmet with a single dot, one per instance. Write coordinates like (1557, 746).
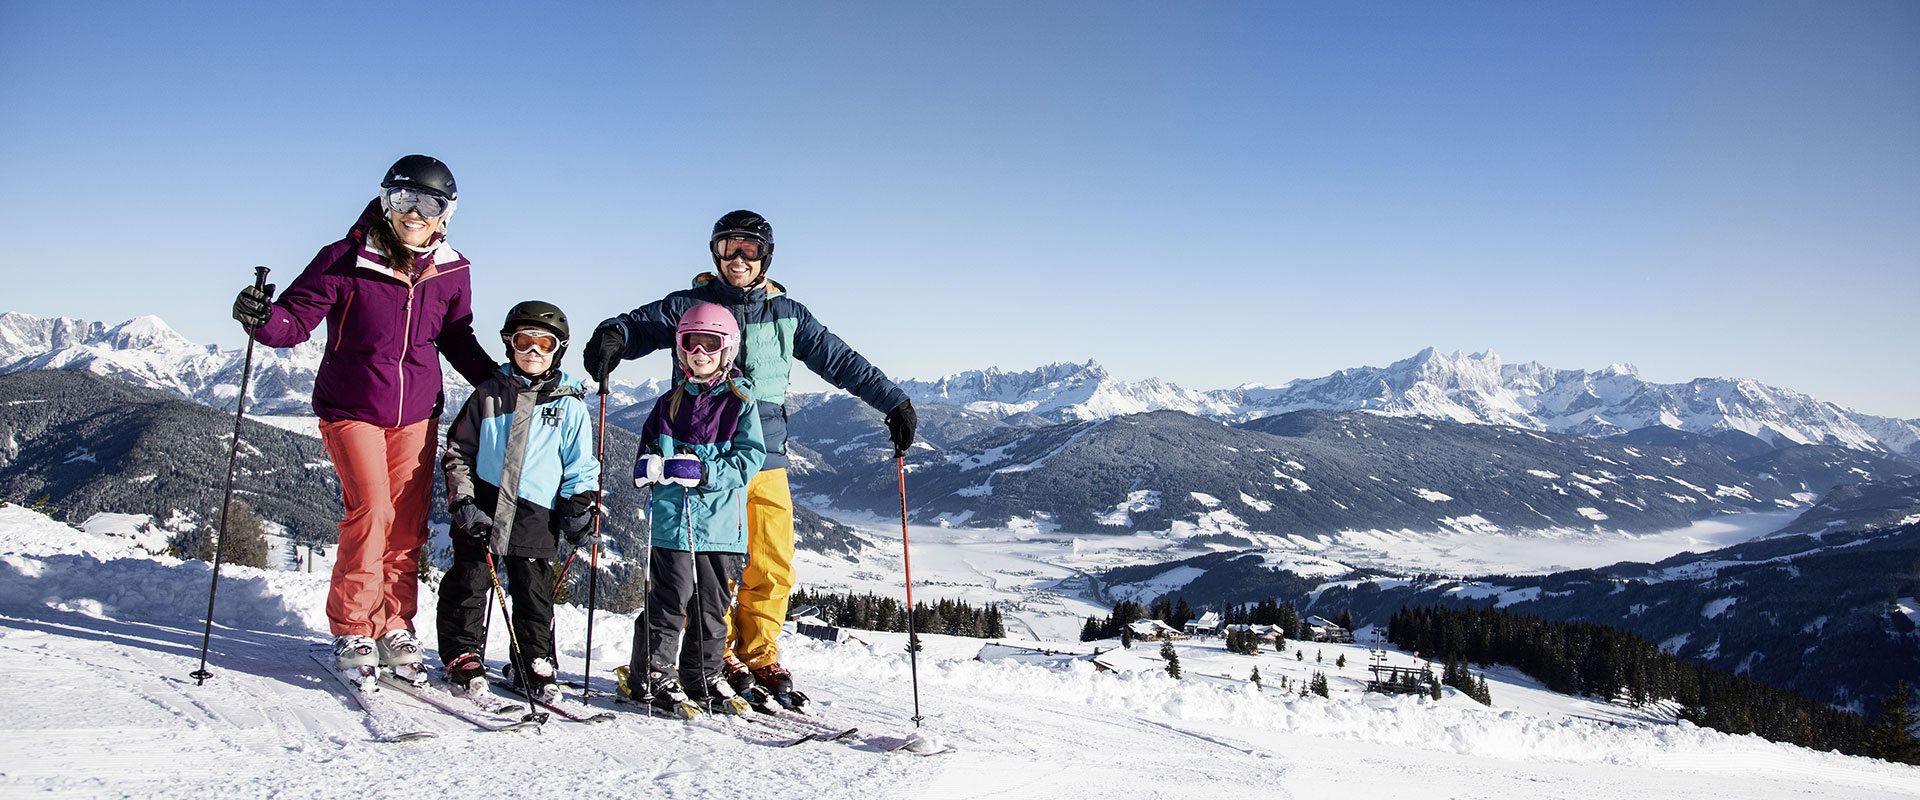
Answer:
(679, 603)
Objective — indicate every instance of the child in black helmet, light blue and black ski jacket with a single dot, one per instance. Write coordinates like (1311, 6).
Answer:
(521, 475)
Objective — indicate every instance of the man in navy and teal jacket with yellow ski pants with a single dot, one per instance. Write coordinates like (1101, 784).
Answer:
(775, 329)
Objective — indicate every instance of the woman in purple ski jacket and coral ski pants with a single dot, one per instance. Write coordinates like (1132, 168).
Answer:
(395, 298)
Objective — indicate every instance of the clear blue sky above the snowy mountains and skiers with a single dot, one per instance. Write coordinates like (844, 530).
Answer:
(1216, 195)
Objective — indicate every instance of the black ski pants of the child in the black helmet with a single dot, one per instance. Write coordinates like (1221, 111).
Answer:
(464, 598)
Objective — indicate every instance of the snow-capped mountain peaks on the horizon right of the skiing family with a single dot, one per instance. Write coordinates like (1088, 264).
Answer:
(1464, 388)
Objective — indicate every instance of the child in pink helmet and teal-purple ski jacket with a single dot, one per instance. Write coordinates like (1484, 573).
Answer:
(700, 450)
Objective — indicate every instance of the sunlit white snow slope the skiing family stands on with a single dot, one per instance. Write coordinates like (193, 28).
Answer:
(97, 642)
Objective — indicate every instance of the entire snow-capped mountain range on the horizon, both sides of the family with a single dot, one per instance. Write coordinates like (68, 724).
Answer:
(1464, 388)
